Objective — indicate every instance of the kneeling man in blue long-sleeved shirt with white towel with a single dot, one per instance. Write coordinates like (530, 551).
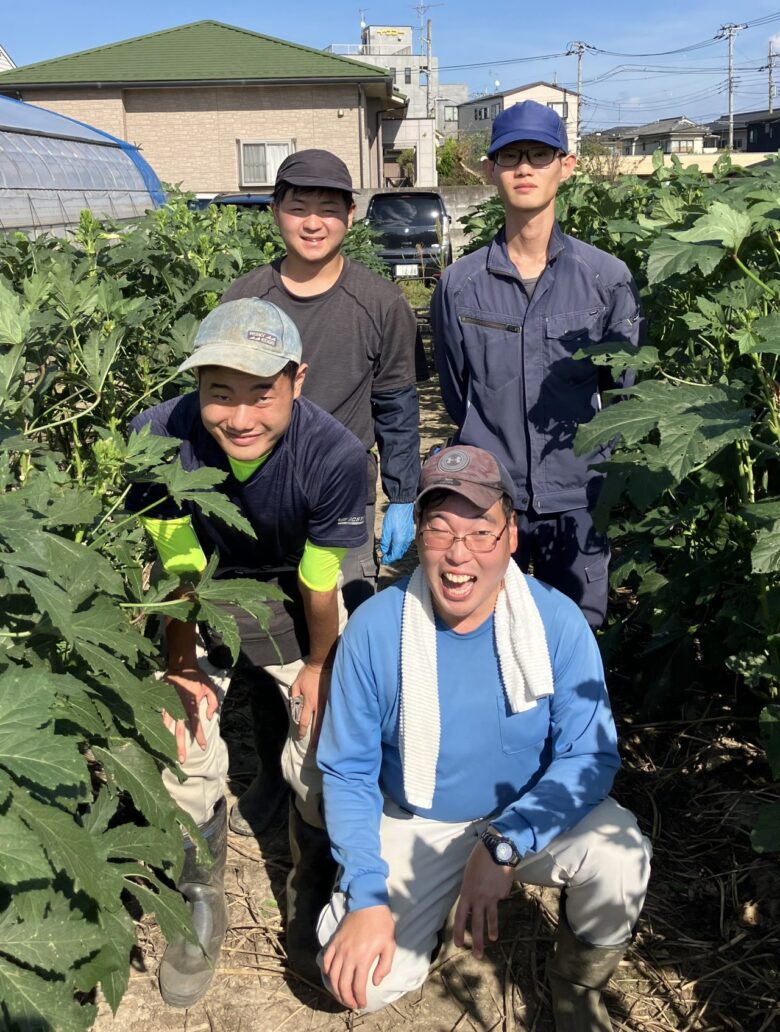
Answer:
(469, 743)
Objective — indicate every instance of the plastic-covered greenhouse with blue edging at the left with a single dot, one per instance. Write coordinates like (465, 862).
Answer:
(52, 168)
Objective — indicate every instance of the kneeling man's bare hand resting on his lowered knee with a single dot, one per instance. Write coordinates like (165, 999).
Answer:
(363, 937)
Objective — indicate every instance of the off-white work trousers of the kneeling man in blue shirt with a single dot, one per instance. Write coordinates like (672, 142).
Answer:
(603, 862)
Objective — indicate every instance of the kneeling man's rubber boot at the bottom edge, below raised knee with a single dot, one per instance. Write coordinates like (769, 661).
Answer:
(578, 973)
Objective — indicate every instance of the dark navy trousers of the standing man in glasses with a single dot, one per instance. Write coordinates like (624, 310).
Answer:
(569, 554)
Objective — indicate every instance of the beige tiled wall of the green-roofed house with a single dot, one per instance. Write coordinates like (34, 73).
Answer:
(191, 136)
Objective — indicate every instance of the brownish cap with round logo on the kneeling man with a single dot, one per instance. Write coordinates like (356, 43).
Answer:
(470, 472)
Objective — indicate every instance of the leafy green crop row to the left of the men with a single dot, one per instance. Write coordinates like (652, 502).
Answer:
(92, 332)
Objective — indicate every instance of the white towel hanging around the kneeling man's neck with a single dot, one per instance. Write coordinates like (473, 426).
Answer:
(524, 665)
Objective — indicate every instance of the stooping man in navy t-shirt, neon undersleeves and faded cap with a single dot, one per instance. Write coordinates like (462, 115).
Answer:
(300, 478)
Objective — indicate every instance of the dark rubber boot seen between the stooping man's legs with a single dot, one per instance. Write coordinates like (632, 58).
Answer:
(258, 805)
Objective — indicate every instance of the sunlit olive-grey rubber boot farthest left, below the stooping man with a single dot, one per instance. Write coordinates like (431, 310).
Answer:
(186, 970)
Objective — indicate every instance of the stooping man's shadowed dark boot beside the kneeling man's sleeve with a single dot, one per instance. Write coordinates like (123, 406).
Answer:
(309, 887)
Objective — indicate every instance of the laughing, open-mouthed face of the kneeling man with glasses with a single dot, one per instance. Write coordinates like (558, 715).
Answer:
(465, 586)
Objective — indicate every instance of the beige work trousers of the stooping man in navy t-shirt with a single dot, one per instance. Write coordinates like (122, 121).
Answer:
(206, 770)
